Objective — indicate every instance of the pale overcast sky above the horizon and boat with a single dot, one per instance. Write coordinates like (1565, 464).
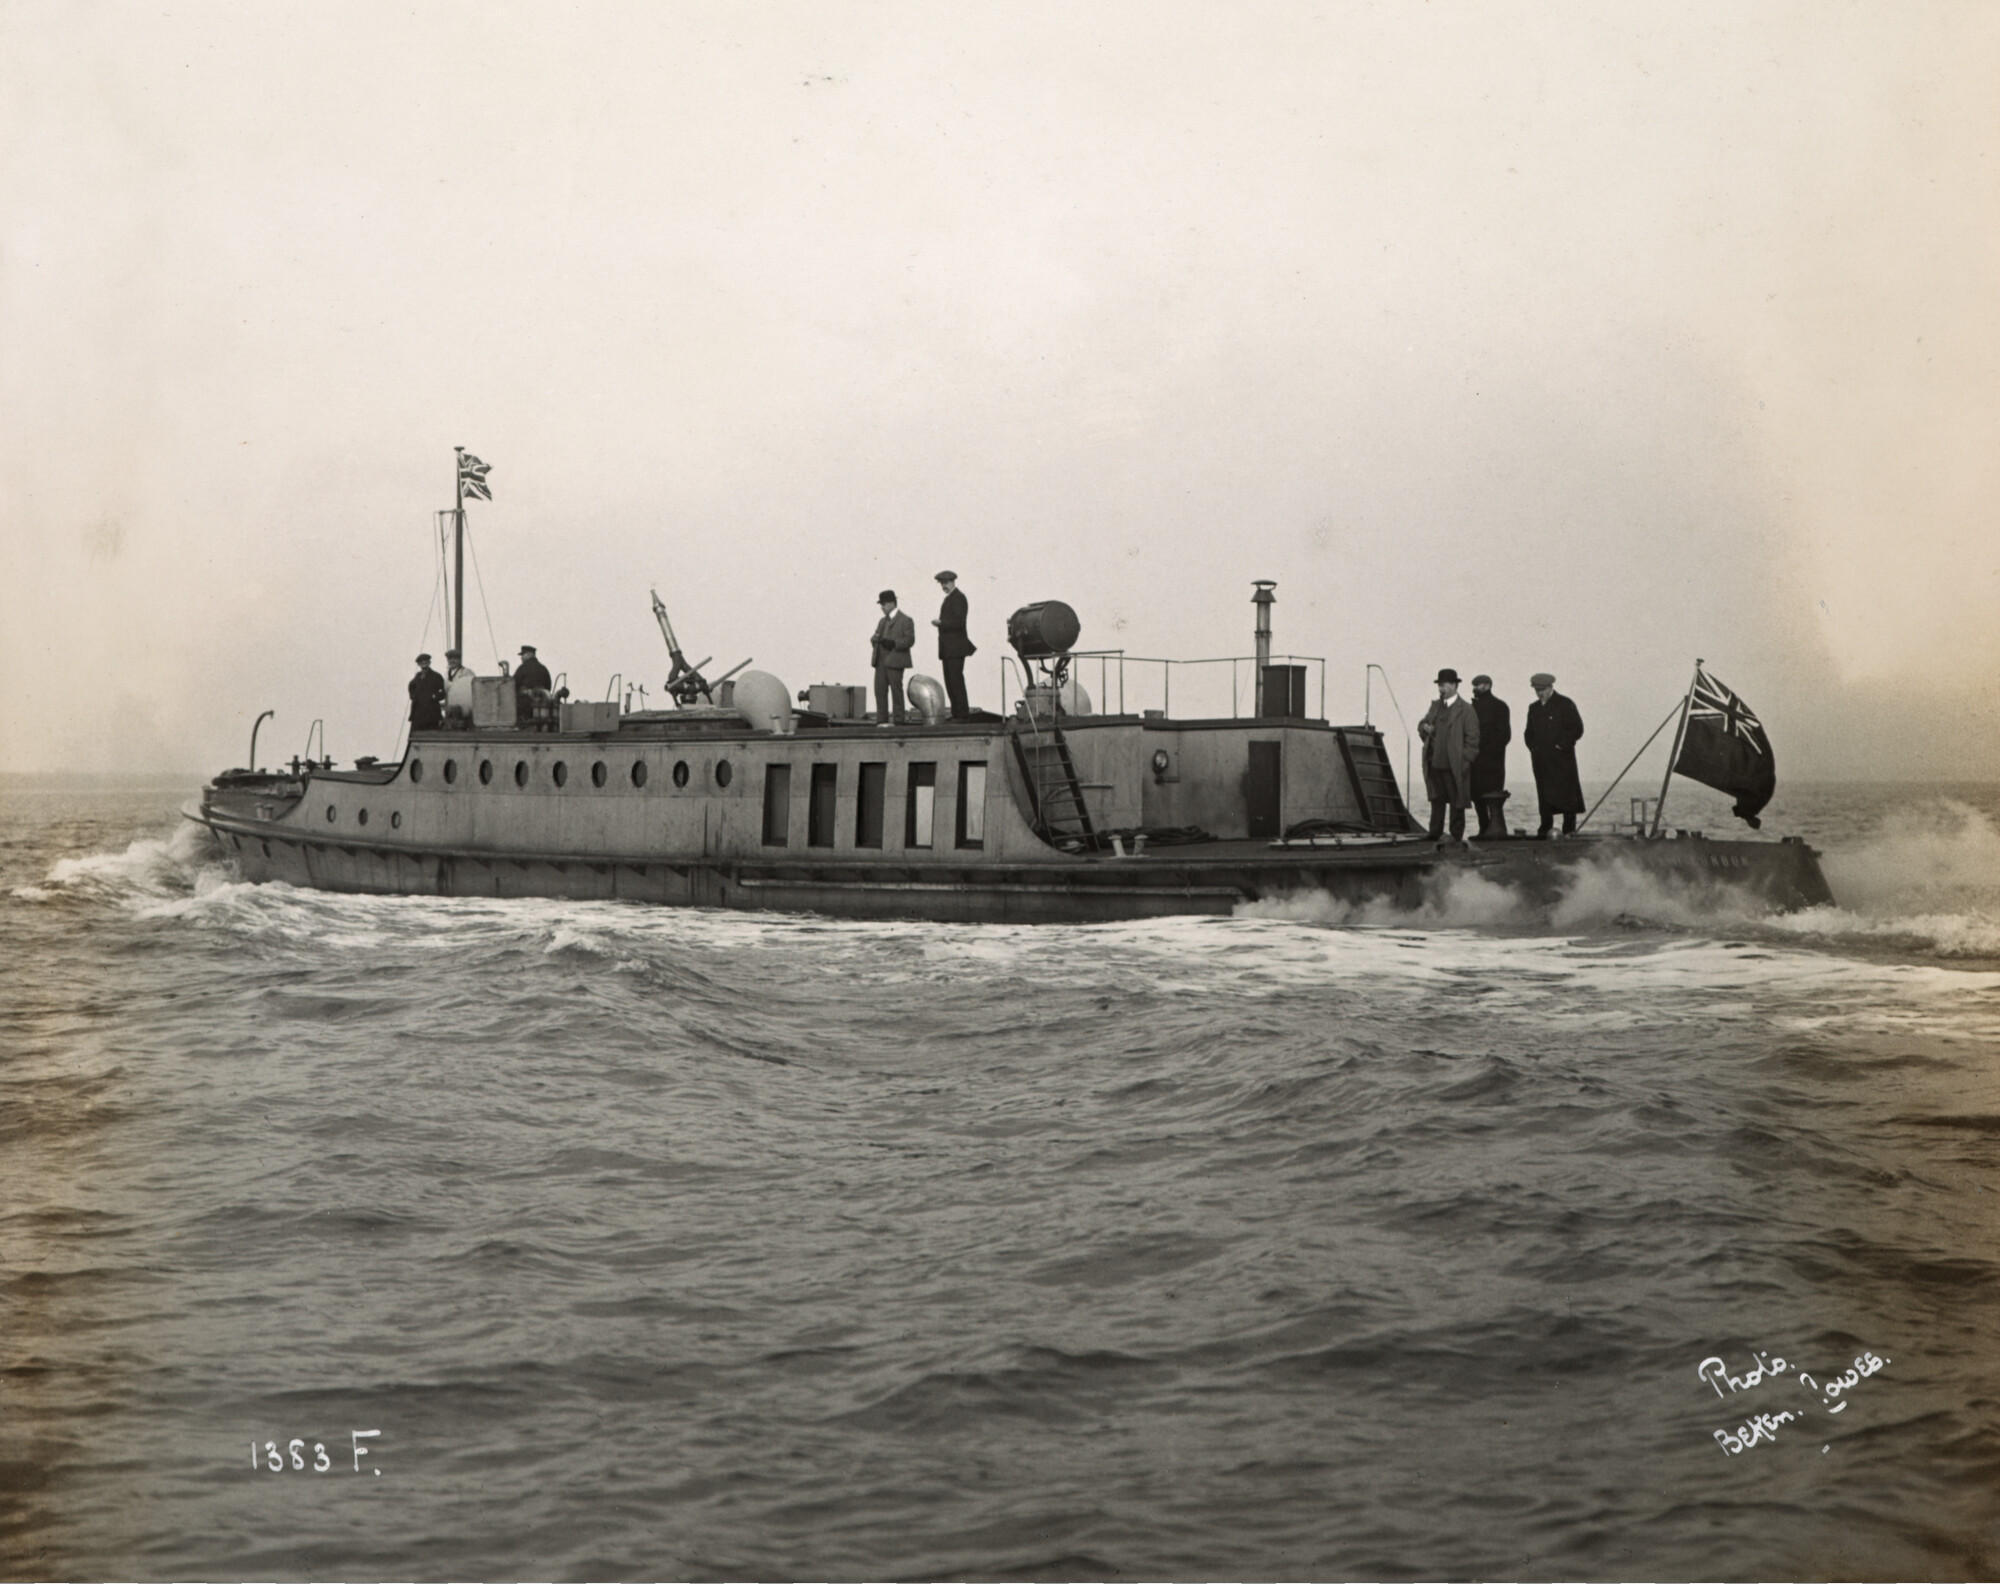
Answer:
(1585, 339)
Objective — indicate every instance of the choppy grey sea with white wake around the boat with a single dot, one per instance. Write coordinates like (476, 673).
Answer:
(439, 1239)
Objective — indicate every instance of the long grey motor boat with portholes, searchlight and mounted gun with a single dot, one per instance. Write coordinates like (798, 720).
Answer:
(743, 795)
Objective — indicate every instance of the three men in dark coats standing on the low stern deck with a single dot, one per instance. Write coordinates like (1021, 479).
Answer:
(1465, 757)
